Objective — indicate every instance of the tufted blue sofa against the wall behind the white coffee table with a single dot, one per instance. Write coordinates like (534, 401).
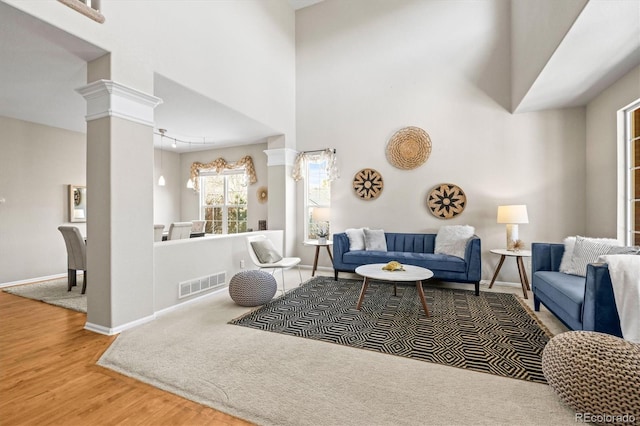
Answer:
(412, 249)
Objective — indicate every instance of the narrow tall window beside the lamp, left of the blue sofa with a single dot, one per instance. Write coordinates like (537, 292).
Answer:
(317, 197)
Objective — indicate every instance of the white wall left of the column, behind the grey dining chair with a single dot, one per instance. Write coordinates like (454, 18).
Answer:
(36, 166)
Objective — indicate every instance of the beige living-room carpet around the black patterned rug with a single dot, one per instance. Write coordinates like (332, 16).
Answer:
(274, 379)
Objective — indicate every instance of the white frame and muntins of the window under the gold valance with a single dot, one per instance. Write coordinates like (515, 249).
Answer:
(226, 205)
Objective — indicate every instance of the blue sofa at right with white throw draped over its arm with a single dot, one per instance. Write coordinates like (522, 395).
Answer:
(580, 303)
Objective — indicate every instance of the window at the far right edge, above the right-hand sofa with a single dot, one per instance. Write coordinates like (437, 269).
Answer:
(632, 173)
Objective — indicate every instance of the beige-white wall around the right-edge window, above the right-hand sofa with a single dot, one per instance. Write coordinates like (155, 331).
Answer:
(605, 157)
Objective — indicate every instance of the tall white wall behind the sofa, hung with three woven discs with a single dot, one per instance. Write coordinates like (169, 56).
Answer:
(368, 68)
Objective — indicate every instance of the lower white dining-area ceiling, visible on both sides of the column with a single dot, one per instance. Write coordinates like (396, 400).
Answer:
(40, 66)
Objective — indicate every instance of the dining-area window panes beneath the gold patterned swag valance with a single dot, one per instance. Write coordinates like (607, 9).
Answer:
(223, 201)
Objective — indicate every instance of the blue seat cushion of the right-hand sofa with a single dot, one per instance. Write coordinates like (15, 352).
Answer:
(565, 290)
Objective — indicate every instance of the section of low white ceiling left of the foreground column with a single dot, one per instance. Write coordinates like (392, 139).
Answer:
(39, 68)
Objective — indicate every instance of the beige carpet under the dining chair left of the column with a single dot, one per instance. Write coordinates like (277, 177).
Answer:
(53, 292)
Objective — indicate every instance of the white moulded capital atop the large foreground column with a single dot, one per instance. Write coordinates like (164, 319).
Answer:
(107, 98)
